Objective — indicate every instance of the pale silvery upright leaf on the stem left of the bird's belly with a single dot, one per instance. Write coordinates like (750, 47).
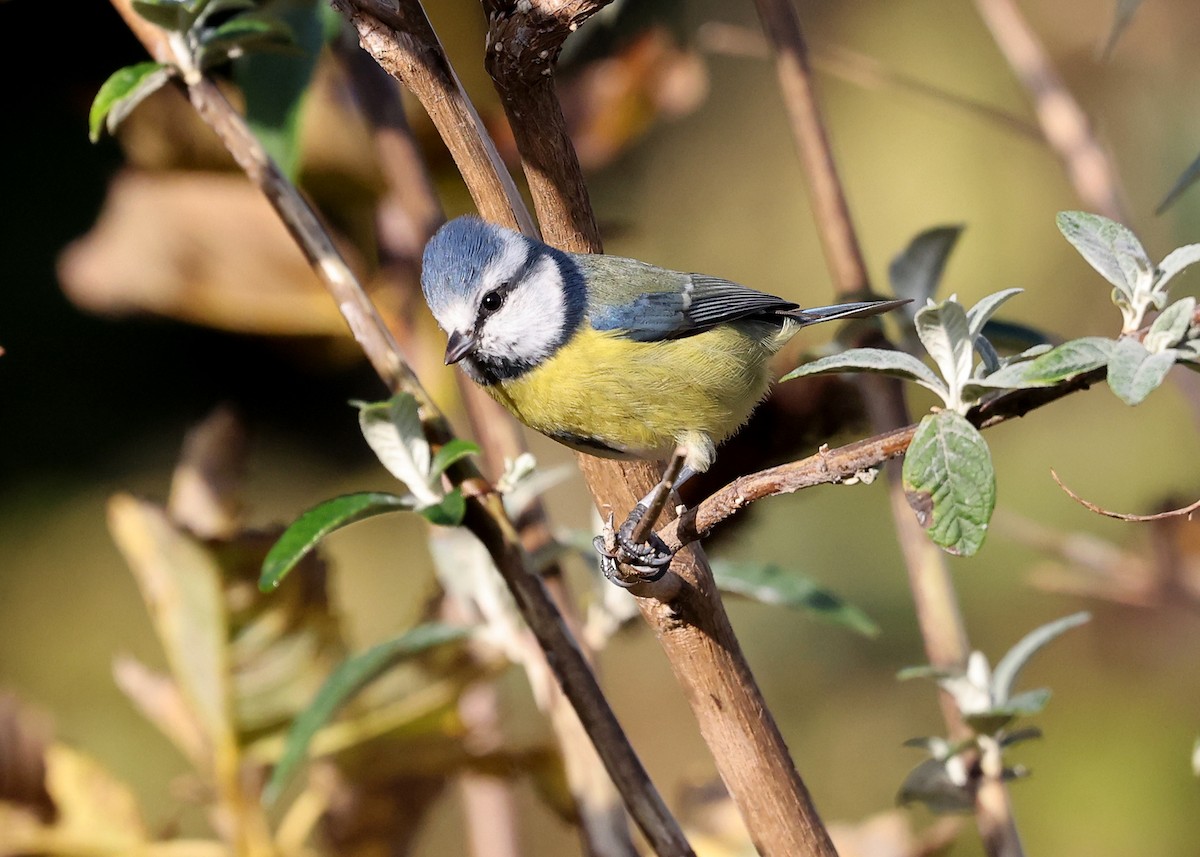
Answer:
(394, 432)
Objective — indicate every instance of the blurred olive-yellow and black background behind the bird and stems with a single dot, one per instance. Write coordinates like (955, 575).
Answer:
(142, 291)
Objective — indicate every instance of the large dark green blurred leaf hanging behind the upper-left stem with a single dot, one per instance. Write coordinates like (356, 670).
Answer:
(277, 86)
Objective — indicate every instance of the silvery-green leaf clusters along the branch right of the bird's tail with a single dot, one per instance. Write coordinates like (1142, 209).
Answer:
(949, 474)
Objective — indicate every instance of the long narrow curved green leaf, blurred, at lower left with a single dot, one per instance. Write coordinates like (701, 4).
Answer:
(351, 678)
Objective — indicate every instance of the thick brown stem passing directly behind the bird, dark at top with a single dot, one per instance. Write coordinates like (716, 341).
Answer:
(693, 627)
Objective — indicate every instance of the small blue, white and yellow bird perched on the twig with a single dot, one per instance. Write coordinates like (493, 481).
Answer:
(610, 356)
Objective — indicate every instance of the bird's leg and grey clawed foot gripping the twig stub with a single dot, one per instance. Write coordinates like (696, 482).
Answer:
(635, 543)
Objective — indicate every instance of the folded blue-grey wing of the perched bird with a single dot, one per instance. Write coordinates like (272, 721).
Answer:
(700, 303)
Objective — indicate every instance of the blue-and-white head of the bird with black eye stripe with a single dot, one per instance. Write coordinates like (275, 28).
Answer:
(506, 302)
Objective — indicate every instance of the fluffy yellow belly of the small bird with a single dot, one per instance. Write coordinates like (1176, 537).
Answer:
(608, 394)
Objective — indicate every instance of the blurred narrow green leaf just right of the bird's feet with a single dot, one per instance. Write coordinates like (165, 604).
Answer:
(770, 584)
